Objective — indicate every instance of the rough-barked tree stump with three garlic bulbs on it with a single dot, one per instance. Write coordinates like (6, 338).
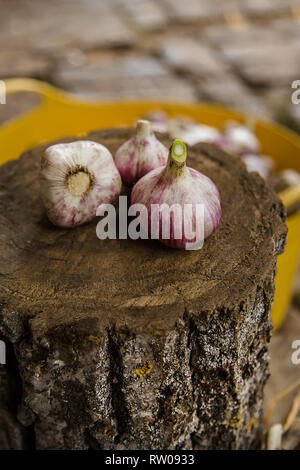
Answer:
(124, 344)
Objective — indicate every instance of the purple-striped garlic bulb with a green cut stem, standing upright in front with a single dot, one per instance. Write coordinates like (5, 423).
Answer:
(176, 184)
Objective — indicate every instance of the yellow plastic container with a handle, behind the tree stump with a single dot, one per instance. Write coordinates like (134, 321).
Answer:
(61, 114)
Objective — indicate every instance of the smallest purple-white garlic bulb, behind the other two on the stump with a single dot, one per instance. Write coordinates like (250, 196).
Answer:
(140, 154)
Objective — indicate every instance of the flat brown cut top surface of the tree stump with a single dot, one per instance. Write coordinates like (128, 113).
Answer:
(59, 277)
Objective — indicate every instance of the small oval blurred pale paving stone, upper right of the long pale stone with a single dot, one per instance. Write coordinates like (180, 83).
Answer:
(190, 55)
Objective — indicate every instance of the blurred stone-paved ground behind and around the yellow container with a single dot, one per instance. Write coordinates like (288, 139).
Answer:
(240, 53)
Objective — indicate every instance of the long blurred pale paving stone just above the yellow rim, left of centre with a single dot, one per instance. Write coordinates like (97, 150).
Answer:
(124, 77)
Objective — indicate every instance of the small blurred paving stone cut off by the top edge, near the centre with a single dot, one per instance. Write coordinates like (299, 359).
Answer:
(145, 14)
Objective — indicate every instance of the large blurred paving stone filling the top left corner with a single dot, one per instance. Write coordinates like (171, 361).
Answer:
(50, 26)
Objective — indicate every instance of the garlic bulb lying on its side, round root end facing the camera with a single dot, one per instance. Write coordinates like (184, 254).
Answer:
(75, 179)
